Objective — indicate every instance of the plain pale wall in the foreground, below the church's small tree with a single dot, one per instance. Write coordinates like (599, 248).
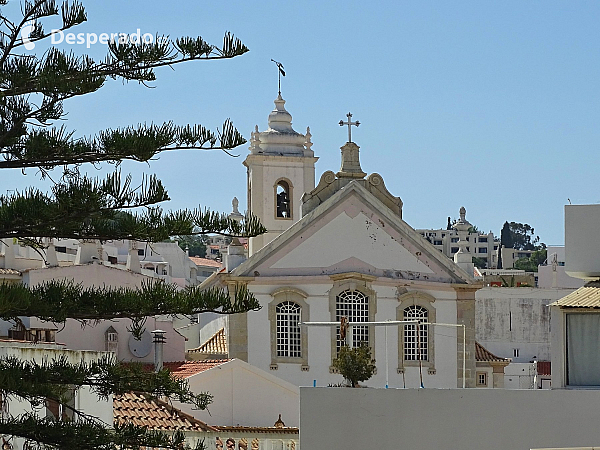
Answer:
(469, 419)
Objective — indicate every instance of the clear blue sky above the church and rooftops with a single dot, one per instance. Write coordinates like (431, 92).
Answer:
(490, 105)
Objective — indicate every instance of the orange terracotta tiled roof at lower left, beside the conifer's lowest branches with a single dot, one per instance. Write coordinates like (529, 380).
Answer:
(154, 414)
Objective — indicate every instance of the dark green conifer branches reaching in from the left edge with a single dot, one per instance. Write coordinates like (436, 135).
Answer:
(34, 89)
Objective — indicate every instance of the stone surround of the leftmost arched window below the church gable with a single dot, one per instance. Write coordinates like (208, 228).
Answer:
(294, 295)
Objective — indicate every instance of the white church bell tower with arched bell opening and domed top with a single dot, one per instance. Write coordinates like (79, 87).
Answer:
(280, 168)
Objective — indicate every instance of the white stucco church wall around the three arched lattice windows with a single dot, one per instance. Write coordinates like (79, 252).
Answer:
(319, 339)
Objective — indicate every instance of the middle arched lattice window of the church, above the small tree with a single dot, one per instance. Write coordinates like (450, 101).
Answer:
(355, 306)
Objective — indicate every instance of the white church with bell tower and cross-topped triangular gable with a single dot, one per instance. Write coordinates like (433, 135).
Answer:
(341, 249)
